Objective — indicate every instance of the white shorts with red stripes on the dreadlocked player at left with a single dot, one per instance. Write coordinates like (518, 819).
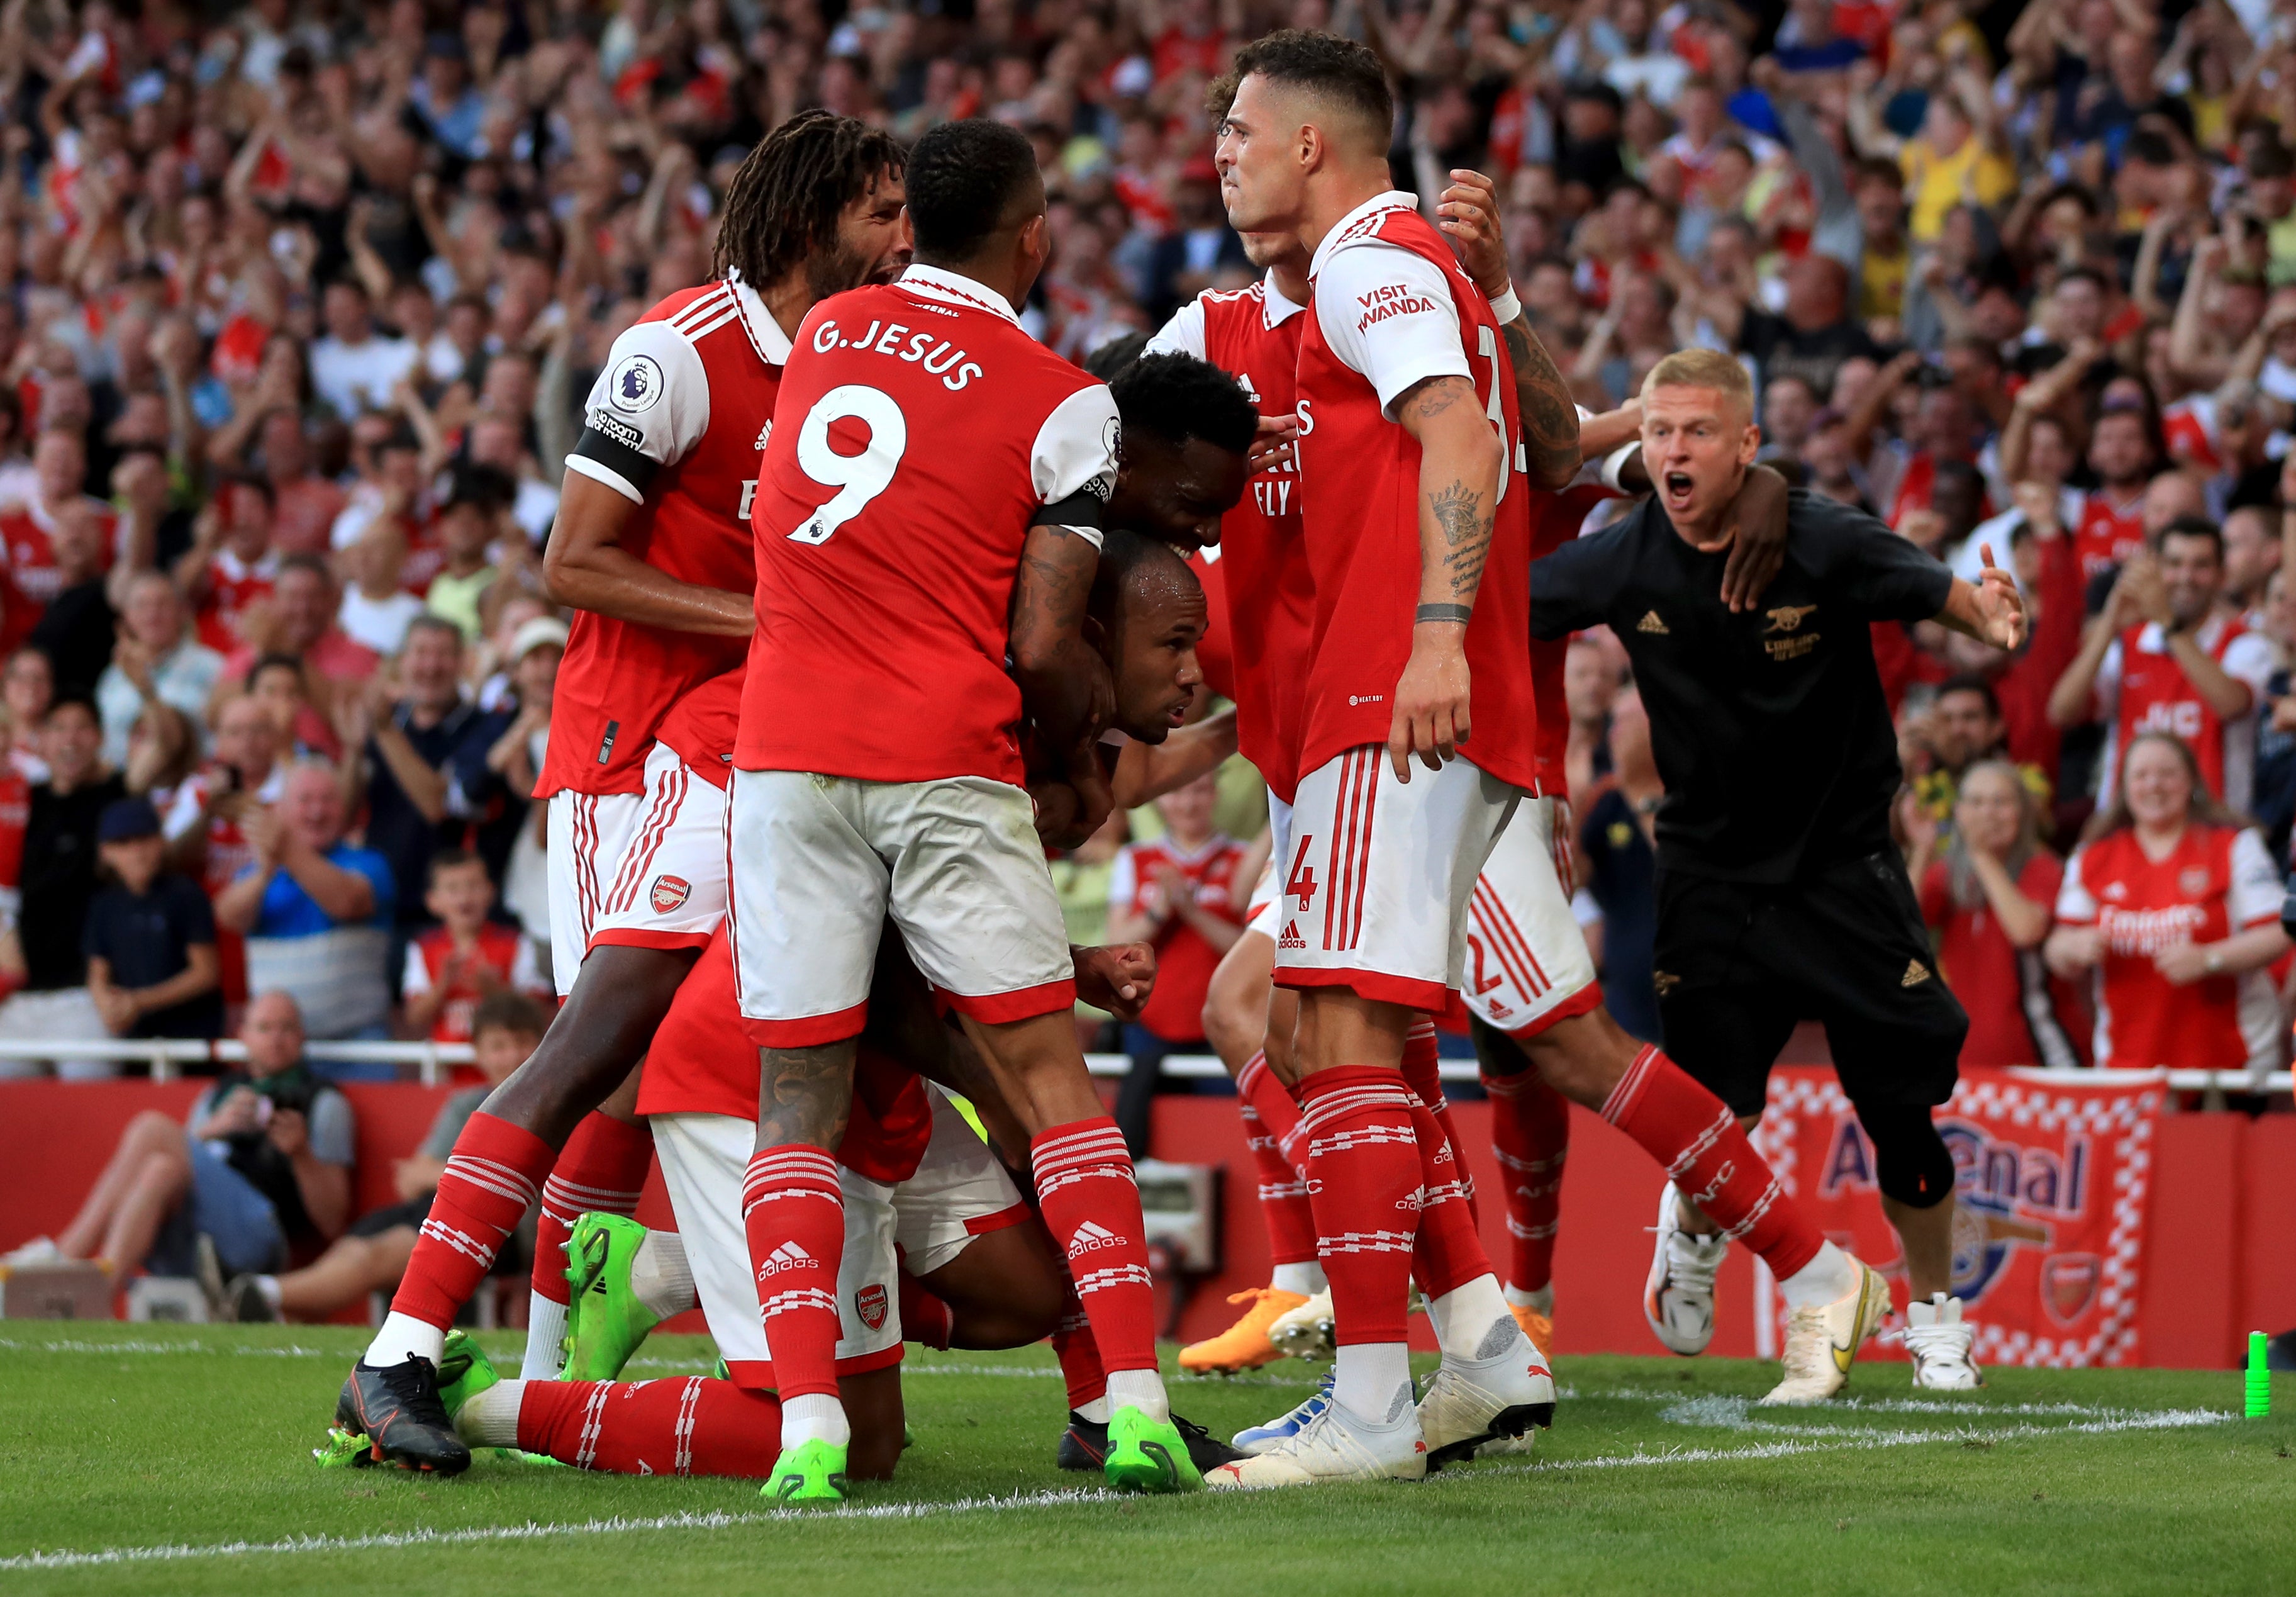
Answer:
(669, 886)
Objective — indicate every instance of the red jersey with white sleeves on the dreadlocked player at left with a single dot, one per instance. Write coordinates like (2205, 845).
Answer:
(676, 424)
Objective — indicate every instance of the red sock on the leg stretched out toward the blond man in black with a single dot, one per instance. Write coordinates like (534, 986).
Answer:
(1712, 1164)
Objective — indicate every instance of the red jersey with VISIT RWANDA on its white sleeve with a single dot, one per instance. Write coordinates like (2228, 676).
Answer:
(1360, 479)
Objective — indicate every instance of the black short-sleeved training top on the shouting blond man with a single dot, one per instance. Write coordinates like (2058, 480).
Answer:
(1769, 727)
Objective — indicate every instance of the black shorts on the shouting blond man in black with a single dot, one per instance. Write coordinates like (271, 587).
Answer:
(1739, 966)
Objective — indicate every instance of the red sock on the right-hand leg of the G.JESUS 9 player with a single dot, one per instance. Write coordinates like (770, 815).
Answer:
(1092, 1205)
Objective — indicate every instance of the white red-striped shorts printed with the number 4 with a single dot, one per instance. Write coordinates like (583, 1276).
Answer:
(1374, 895)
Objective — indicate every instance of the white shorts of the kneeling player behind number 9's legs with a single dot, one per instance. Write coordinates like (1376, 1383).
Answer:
(956, 1196)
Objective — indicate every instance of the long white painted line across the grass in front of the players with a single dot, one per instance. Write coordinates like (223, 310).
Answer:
(1836, 1442)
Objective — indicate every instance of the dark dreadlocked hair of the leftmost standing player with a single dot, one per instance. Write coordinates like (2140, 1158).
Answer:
(786, 199)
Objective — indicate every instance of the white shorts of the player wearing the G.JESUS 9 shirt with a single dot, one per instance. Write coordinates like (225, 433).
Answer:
(819, 863)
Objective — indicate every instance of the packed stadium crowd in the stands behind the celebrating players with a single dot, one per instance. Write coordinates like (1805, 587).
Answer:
(304, 302)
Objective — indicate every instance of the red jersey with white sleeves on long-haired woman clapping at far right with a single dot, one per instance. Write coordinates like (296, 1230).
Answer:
(2219, 881)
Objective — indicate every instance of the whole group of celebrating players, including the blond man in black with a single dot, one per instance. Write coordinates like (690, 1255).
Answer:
(878, 599)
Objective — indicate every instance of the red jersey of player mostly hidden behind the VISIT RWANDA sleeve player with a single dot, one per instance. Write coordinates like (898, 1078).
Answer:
(1255, 337)
